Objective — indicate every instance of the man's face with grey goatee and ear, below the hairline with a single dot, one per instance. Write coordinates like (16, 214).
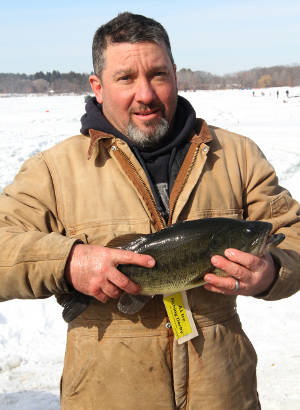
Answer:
(138, 90)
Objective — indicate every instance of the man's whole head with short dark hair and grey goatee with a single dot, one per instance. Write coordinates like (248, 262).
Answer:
(135, 77)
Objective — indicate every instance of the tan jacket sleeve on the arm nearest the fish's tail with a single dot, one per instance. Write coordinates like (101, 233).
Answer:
(34, 249)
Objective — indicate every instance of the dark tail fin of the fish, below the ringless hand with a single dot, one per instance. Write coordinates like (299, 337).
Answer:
(74, 304)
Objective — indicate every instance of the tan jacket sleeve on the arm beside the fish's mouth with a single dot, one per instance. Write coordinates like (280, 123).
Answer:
(266, 200)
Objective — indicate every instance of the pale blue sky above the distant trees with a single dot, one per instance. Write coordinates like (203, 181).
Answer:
(216, 36)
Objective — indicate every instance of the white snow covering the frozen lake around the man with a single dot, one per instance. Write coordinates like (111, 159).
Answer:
(32, 333)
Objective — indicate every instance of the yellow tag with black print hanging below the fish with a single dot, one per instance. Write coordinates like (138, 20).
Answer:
(180, 316)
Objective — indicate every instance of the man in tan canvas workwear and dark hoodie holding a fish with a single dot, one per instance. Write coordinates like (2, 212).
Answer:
(143, 161)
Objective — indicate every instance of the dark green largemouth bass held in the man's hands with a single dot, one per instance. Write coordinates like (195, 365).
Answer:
(183, 254)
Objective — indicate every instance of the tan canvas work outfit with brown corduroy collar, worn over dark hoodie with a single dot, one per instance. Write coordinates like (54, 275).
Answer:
(92, 190)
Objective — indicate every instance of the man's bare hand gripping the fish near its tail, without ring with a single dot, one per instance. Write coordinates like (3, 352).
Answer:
(92, 269)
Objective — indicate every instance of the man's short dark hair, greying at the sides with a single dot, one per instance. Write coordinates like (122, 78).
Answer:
(127, 28)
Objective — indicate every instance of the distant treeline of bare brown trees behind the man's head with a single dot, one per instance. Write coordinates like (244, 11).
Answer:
(56, 82)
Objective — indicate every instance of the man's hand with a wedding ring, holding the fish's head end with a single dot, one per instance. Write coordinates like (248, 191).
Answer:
(255, 274)
